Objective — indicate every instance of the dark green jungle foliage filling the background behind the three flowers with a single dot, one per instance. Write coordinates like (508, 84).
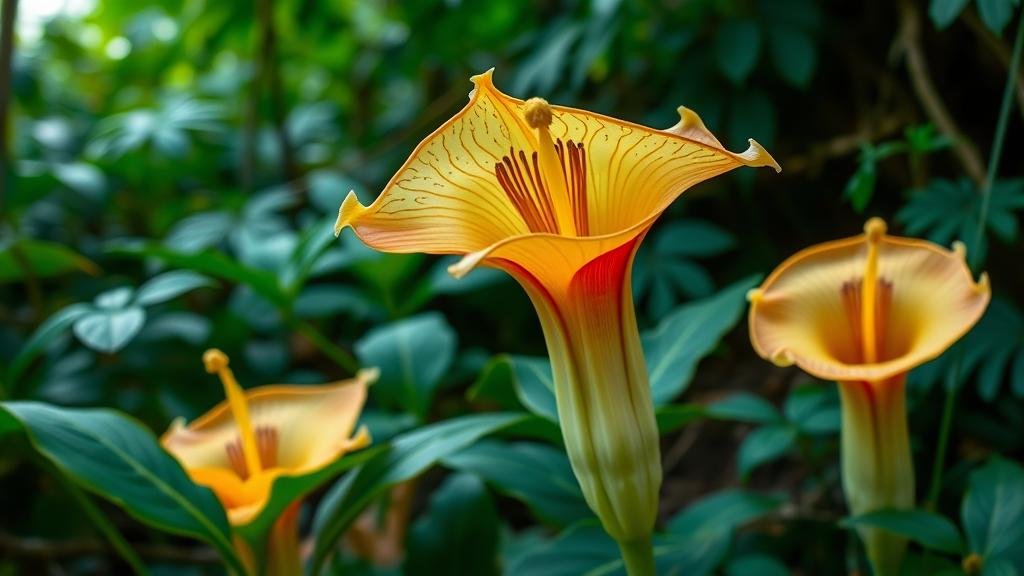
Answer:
(172, 171)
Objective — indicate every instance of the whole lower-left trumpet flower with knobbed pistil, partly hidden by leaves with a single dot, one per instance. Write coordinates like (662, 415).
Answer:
(242, 446)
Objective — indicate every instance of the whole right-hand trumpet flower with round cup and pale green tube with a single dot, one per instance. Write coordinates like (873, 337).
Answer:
(864, 312)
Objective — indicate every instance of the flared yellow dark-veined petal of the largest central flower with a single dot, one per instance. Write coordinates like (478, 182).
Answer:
(503, 171)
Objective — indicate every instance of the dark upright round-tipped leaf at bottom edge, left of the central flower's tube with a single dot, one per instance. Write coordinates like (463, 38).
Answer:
(458, 534)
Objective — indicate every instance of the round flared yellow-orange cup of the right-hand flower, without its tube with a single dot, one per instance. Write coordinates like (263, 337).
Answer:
(812, 310)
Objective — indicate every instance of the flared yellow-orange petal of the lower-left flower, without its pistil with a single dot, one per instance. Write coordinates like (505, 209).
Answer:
(298, 430)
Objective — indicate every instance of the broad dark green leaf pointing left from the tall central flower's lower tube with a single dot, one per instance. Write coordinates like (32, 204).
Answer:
(538, 475)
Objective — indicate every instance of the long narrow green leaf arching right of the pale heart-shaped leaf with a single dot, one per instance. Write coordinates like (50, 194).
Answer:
(214, 264)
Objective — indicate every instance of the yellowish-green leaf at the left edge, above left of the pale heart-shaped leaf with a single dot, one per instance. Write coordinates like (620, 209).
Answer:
(38, 259)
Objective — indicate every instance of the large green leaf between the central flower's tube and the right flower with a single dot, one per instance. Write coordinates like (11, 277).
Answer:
(689, 335)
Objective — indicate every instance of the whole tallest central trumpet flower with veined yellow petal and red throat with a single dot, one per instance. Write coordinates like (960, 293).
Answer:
(561, 199)
